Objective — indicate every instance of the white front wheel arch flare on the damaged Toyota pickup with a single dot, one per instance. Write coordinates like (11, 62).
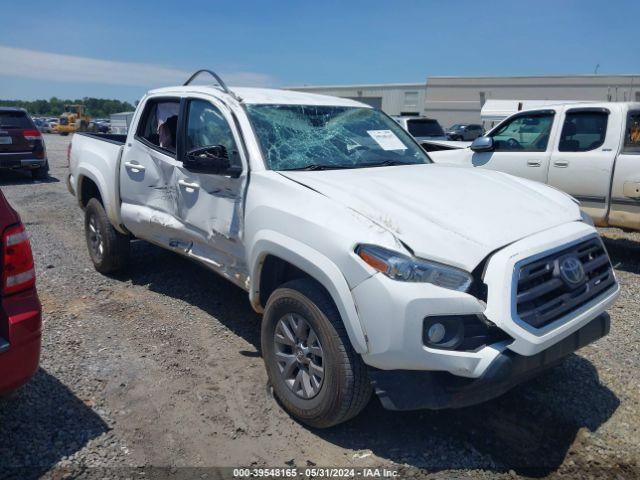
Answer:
(272, 250)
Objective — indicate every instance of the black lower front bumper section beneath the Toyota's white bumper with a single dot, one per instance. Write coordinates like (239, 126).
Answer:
(413, 390)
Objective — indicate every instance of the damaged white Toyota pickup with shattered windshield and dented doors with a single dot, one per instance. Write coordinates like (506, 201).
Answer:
(439, 286)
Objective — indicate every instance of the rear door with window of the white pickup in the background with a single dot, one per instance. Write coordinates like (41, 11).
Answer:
(583, 157)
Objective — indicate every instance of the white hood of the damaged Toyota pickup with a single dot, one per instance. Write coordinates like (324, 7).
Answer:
(450, 214)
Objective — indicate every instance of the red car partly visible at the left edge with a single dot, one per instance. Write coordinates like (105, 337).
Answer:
(20, 310)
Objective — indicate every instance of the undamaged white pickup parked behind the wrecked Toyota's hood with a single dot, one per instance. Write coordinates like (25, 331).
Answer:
(589, 150)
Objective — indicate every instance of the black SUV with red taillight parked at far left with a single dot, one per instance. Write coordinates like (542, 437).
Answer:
(21, 143)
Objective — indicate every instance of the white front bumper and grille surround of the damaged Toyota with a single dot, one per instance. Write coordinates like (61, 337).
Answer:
(392, 313)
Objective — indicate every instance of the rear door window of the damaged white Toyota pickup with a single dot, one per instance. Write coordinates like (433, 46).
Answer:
(159, 124)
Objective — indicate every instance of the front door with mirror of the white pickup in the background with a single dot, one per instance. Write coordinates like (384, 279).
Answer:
(522, 146)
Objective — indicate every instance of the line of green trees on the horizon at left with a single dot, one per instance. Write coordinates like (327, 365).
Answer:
(95, 107)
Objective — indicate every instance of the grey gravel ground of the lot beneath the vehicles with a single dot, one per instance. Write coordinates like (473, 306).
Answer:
(160, 367)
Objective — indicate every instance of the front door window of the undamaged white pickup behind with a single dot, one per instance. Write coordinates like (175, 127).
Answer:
(524, 133)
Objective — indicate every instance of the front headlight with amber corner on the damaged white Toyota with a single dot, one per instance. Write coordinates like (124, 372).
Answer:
(408, 269)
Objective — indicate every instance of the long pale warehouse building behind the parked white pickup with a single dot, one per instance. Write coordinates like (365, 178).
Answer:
(459, 99)
